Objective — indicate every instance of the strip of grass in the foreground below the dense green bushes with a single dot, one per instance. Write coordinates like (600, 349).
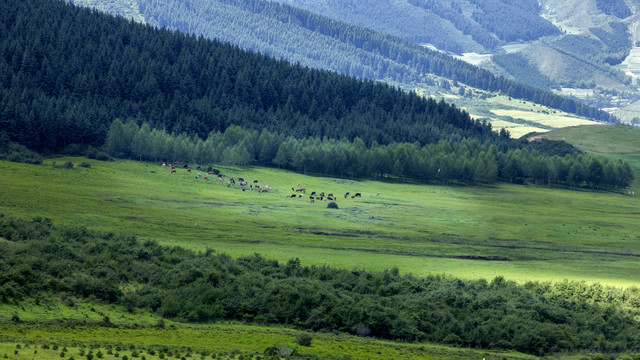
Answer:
(45, 331)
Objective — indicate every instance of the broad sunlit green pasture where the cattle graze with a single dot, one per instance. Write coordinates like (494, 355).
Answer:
(519, 232)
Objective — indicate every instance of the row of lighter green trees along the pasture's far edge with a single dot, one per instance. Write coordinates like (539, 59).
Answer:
(464, 161)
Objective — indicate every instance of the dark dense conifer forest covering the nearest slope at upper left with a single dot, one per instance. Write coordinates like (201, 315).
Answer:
(67, 72)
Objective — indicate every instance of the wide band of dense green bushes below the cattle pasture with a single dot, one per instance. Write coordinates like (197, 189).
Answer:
(45, 262)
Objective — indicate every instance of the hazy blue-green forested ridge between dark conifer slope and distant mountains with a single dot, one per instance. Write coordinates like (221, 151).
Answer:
(320, 42)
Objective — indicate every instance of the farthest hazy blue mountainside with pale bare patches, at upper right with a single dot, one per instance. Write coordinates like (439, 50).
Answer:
(569, 44)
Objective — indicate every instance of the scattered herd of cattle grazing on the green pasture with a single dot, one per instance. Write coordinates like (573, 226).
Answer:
(240, 183)
